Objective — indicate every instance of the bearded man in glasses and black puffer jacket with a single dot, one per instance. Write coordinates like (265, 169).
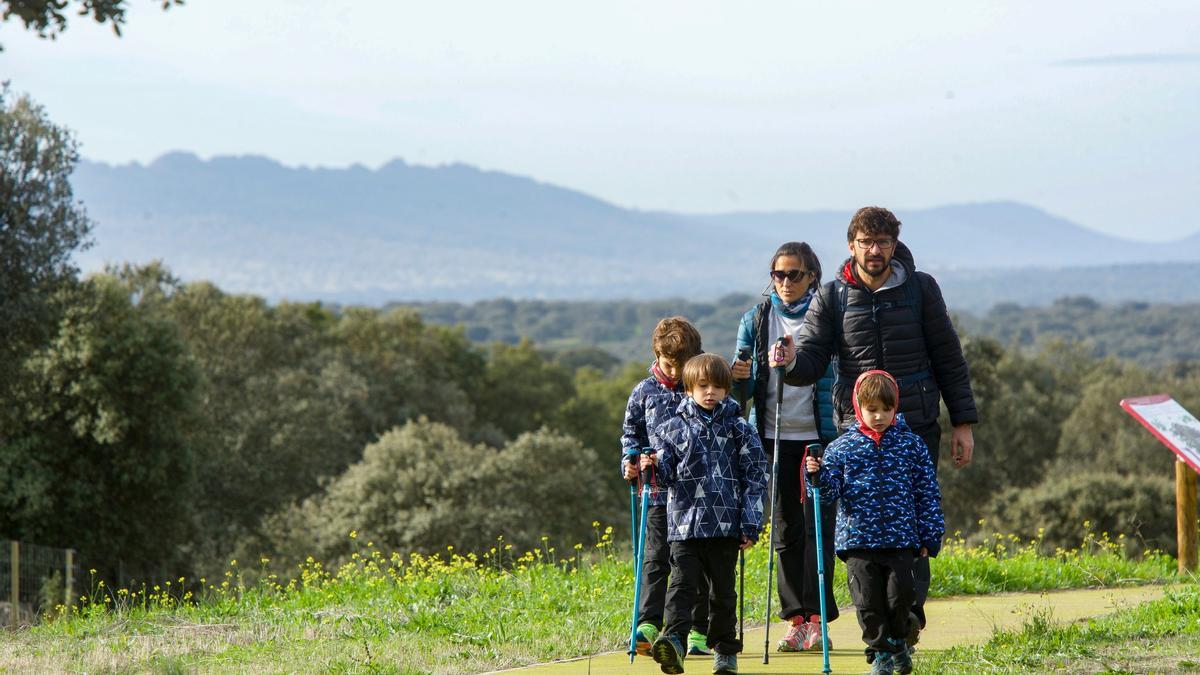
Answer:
(881, 314)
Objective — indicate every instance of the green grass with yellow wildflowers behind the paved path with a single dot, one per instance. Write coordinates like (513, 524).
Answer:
(387, 613)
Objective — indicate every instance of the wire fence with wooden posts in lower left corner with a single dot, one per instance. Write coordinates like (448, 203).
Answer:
(35, 582)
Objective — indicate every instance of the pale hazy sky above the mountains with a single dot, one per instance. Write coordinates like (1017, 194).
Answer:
(1090, 110)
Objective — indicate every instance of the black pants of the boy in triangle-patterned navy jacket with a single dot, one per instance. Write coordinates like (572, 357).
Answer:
(691, 561)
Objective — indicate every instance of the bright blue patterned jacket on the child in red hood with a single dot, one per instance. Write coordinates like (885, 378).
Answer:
(887, 492)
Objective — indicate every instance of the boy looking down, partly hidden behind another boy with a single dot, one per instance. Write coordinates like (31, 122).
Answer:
(652, 403)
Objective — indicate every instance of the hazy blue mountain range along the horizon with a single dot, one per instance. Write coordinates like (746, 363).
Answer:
(404, 234)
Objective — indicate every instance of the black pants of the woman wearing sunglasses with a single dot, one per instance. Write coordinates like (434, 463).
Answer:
(794, 531)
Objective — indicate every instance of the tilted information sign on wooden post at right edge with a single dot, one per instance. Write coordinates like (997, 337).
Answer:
(1180, 431)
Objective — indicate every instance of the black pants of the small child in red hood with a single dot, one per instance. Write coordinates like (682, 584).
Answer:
(881, 584)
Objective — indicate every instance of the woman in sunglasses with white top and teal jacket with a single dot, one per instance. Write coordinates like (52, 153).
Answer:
(807, 417)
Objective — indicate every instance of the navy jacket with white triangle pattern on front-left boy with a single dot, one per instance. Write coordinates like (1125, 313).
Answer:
(716, 471)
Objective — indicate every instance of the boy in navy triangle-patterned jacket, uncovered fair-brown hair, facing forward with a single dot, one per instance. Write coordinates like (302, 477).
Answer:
(713, 465)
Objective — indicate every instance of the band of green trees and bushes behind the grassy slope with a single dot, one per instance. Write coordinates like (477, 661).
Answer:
(165, 428)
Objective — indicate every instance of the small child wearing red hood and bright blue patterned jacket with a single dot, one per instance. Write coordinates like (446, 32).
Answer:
(890, 512)
